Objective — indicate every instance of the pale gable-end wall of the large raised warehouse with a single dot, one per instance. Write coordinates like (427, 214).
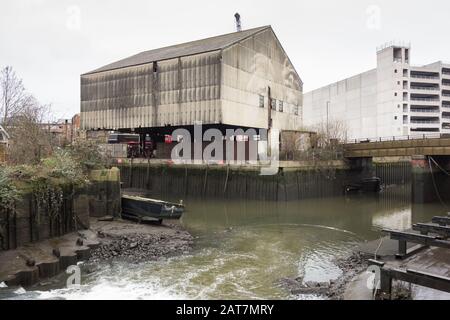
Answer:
(249, 68)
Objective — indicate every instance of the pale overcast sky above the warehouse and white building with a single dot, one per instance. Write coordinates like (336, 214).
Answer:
(51, 42)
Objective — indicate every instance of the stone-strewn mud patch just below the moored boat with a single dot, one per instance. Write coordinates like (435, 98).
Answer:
(136, 243)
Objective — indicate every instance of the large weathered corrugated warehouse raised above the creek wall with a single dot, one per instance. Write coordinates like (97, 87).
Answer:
(238, 80)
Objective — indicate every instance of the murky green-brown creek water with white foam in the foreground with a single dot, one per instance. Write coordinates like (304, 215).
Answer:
(243, 248)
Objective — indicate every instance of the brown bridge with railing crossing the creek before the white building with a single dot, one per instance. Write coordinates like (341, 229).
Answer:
(425, 145)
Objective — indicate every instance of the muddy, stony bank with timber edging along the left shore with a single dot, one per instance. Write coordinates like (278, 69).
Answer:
(38, 262)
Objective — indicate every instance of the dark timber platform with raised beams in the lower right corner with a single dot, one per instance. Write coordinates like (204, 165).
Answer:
(422, 256)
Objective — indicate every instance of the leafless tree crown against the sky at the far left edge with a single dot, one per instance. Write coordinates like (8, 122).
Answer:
(14, 98)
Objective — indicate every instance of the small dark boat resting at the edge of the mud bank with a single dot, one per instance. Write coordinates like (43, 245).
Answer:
(140, 208)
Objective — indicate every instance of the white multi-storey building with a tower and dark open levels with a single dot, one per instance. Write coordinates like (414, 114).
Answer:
(394, 99)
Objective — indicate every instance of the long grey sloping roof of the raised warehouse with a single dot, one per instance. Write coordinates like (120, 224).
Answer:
(181, 50)
